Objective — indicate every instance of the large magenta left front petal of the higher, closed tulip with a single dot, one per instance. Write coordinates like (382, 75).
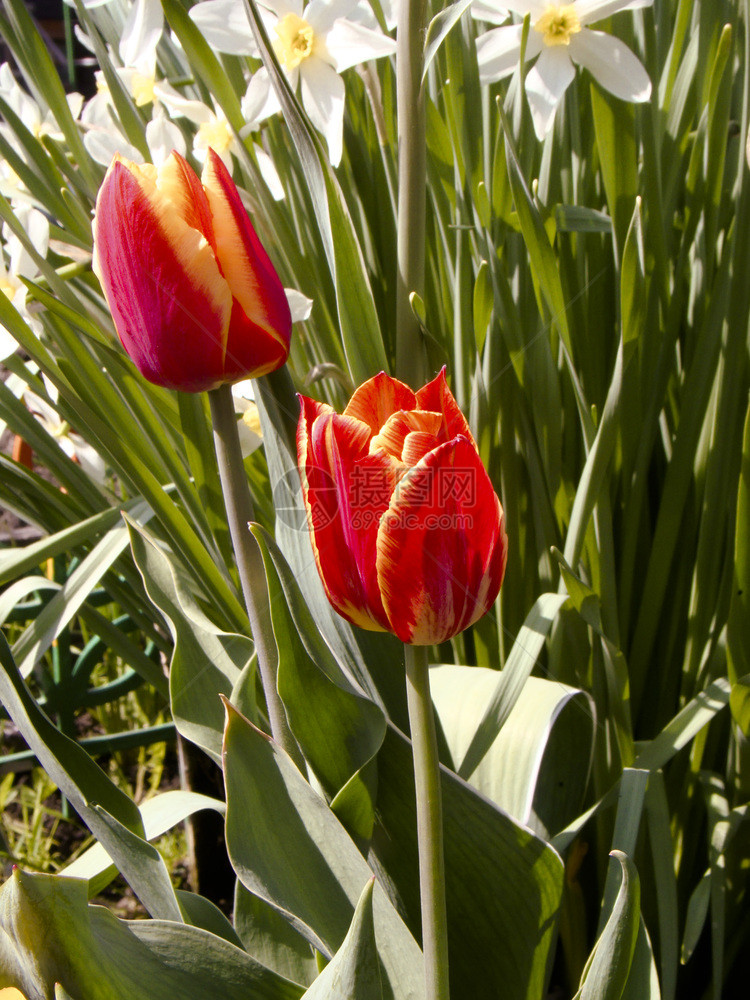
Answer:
(169, 301)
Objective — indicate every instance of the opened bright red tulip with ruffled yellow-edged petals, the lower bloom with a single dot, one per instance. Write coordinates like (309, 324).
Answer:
(408, 533)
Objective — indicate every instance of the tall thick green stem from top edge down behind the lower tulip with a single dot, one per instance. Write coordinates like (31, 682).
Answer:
(412, 187)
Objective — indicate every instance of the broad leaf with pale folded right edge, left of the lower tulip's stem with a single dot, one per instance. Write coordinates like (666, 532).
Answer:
(314, 874)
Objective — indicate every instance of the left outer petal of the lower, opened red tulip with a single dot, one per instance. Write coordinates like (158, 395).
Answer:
(343, 522)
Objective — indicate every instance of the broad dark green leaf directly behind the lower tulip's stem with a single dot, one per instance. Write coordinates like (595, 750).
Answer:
(504, 884)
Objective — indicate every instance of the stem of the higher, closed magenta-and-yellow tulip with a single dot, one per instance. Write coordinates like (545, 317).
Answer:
(239, 508)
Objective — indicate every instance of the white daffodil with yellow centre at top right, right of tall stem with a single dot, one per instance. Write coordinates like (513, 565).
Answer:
(560, 38)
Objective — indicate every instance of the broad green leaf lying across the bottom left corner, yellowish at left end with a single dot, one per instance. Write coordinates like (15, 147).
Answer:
(50, 934)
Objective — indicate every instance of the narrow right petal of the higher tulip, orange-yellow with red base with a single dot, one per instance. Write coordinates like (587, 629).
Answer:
(252, 279)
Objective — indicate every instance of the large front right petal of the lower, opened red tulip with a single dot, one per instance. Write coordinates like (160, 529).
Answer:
(441, 547)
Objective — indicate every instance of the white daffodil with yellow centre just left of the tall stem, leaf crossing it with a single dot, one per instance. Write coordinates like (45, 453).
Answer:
(314, 44)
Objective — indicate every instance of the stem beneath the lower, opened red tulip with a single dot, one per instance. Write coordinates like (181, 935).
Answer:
(429, 823)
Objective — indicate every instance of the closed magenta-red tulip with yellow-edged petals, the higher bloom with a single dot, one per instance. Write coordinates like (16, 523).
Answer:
(195, 300)
